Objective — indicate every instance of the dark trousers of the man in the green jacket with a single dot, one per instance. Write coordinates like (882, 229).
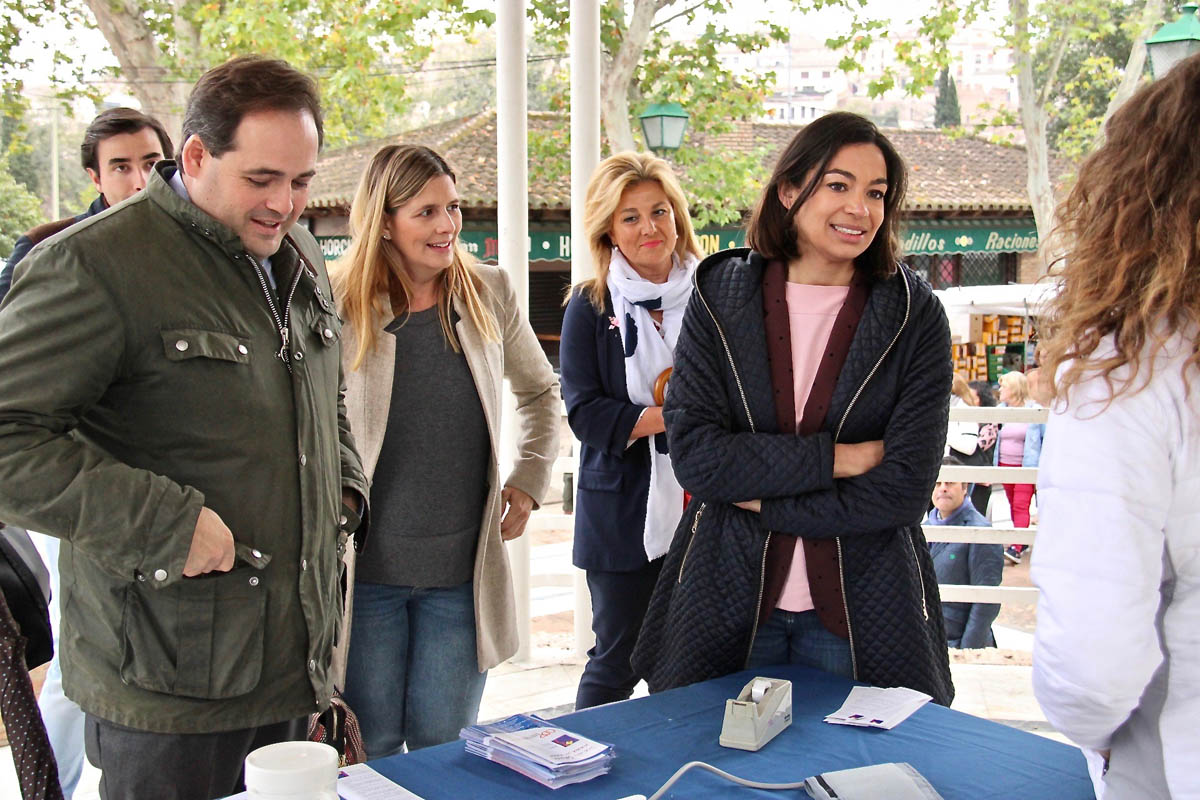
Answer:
(140, 765)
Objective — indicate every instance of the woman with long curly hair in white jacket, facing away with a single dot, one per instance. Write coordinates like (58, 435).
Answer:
(1117, 663)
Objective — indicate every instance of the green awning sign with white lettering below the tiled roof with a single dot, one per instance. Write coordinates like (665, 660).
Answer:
(917, 240)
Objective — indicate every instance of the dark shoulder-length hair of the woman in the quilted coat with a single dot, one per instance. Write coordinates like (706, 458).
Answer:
(772, 231)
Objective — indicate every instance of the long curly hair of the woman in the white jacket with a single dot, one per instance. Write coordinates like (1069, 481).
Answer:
(1131, 225)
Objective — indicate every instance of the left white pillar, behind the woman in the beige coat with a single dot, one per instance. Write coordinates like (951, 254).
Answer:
(513, 224)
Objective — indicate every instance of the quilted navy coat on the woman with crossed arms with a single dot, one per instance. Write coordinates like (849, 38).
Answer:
(727, 448)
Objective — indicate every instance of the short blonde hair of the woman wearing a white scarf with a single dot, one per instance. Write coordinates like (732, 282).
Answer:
(613, 177)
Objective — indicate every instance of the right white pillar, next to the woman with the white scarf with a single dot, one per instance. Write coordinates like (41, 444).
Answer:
(585, 158)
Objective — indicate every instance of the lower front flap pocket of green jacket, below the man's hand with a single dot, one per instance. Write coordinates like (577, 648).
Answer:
(200, 637)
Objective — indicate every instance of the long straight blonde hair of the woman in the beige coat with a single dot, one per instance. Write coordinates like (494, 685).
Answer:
(370, 281)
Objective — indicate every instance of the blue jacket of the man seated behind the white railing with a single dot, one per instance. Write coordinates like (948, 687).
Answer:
(968, 625)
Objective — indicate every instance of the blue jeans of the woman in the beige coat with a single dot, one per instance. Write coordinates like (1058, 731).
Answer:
(412, 676)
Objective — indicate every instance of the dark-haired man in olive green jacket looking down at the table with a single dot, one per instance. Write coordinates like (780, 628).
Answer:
(171, 407)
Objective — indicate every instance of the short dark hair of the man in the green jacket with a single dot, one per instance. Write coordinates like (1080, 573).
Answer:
(249, 83)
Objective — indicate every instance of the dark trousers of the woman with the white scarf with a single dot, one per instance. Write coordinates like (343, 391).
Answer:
(619, 606)
